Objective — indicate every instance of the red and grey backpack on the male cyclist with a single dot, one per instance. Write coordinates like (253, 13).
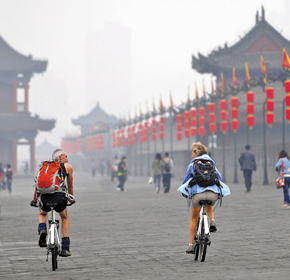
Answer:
(49, 178)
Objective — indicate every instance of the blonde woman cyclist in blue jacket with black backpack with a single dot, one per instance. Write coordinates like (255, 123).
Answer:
(202, 182)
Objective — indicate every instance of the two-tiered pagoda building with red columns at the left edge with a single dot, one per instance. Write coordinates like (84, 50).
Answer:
(17, 125)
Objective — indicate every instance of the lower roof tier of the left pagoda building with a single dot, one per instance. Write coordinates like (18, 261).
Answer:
(24, 122)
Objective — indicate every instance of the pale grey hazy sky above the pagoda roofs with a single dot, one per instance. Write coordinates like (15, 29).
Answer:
(165, 34)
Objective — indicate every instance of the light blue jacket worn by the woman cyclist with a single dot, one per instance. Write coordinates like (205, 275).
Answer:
(189, 191)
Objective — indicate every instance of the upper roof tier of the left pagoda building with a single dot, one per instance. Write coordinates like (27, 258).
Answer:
(12, 61)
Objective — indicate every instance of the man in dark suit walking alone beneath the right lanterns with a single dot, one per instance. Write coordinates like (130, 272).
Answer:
(248, 164)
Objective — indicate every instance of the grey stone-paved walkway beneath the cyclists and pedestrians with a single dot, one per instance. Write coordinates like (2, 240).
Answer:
(139, 234)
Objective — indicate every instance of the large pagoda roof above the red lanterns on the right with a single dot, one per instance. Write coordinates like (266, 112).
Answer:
(262, 39)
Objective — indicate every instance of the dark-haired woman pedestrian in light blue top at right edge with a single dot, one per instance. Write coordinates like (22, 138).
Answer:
(284, 161)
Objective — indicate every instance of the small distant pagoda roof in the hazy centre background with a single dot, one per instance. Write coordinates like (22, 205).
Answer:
(96, 115)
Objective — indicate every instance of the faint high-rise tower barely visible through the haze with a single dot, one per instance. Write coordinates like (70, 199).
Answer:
(108, 68)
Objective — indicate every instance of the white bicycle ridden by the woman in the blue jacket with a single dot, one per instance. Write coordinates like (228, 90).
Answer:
(202, 235)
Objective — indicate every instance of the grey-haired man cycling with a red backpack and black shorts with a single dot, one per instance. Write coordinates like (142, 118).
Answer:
(53, 182)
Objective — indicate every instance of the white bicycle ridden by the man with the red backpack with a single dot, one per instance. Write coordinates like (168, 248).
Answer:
(53, 244)
